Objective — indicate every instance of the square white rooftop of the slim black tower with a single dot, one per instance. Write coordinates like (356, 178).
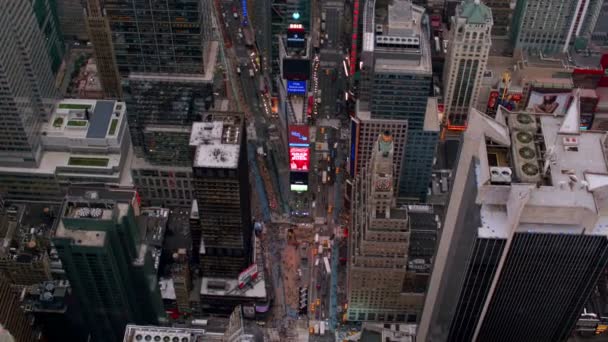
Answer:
(217, 143)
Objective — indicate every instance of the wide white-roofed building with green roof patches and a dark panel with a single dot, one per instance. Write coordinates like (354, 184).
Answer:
(85, 141)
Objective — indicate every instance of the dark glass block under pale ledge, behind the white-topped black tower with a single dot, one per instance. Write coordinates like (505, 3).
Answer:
(162, 108)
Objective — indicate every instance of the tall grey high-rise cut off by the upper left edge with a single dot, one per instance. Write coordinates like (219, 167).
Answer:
(28, 84)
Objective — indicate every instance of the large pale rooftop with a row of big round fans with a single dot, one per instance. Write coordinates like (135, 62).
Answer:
(549, 173)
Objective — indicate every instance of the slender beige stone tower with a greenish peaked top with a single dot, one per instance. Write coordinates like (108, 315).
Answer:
(468, 51)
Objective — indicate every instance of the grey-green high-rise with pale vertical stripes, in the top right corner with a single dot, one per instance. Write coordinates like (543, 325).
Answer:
(548, 27)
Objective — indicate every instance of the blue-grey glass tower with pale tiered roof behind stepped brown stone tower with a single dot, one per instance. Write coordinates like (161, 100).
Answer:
(396, 82)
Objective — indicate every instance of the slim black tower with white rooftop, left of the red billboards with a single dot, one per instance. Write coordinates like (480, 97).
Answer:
(221, 188)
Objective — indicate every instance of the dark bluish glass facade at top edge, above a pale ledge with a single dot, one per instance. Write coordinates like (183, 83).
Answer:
(157, 35)
